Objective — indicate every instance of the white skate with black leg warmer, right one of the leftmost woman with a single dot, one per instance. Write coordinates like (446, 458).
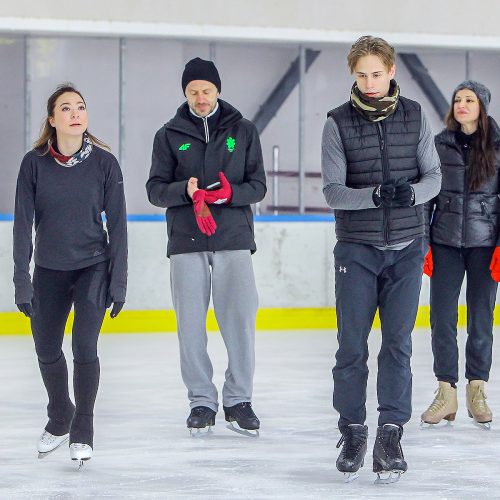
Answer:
(81, 436)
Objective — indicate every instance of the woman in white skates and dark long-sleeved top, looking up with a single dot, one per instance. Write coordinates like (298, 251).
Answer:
(65, 183)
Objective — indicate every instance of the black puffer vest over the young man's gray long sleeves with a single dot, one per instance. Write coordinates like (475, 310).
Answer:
(377, 152)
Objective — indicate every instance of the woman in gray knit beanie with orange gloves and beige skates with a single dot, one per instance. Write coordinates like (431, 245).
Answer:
(465, 239)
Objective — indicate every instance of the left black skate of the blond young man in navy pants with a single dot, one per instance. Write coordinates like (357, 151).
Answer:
(352, 455)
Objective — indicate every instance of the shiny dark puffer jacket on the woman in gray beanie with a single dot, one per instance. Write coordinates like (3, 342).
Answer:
(460, 217)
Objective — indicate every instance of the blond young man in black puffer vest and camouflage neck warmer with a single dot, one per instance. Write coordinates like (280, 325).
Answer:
(379, 167)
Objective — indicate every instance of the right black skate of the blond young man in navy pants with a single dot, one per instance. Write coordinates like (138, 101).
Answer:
(388, 459)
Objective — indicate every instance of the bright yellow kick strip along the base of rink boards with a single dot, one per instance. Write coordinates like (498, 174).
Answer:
(14, 323)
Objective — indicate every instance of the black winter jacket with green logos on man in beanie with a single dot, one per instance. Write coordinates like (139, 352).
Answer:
(181, 151)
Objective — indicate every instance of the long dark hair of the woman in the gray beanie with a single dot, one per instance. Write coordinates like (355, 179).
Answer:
(482, 164)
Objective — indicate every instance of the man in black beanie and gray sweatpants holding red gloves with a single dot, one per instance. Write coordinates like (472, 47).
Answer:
(207, 169)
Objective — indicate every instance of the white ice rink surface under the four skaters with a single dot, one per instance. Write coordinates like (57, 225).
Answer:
(143, 449)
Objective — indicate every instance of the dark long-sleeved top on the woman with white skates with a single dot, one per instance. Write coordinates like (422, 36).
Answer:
(66, 204)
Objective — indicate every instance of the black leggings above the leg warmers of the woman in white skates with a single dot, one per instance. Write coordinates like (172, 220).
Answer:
(54, 294)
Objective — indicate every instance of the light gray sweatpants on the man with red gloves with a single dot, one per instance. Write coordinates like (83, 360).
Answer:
(229, 275)
